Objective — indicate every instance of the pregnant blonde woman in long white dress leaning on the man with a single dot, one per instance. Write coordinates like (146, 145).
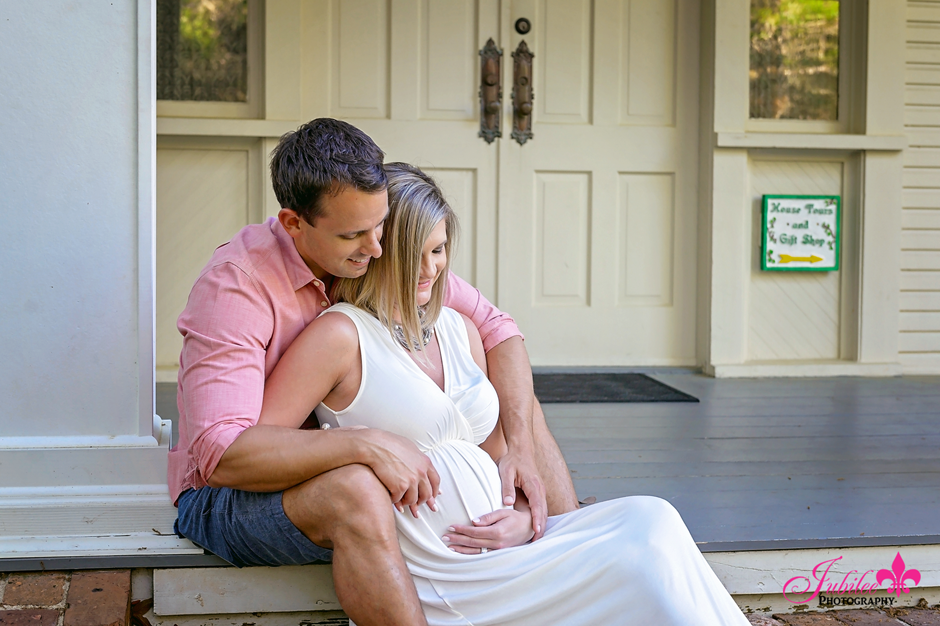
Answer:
(407, 365)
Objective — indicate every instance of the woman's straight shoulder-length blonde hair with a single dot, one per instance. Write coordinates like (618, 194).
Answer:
(416, 205)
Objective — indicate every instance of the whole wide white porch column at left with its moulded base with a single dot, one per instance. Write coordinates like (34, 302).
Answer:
(82, 455)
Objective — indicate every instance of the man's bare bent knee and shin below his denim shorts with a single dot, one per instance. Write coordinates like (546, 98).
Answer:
(350, 511)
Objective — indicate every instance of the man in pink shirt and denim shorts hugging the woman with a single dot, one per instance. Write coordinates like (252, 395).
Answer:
(264, 495)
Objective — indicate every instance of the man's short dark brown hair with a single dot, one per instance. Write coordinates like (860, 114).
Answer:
(324, 156)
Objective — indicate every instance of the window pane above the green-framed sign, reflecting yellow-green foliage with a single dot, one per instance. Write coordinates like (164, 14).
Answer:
(795, 59)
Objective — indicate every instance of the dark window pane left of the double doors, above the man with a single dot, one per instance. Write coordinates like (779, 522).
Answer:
(202, 50)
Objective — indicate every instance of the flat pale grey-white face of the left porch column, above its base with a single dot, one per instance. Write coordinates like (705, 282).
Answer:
(68, 218)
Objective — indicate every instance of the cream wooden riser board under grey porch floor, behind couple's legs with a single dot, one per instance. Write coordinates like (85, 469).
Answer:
(754, 578)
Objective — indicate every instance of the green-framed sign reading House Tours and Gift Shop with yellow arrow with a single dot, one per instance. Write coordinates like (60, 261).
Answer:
(800, 234)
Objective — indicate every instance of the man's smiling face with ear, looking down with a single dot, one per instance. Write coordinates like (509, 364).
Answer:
(345, 236)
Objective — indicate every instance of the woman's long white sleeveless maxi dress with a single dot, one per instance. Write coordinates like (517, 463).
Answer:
(622, 562)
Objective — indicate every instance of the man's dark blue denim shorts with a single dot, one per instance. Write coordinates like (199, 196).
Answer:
(245, 528)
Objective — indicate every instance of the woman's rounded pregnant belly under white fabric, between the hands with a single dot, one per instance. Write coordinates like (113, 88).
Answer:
(470, 487)
